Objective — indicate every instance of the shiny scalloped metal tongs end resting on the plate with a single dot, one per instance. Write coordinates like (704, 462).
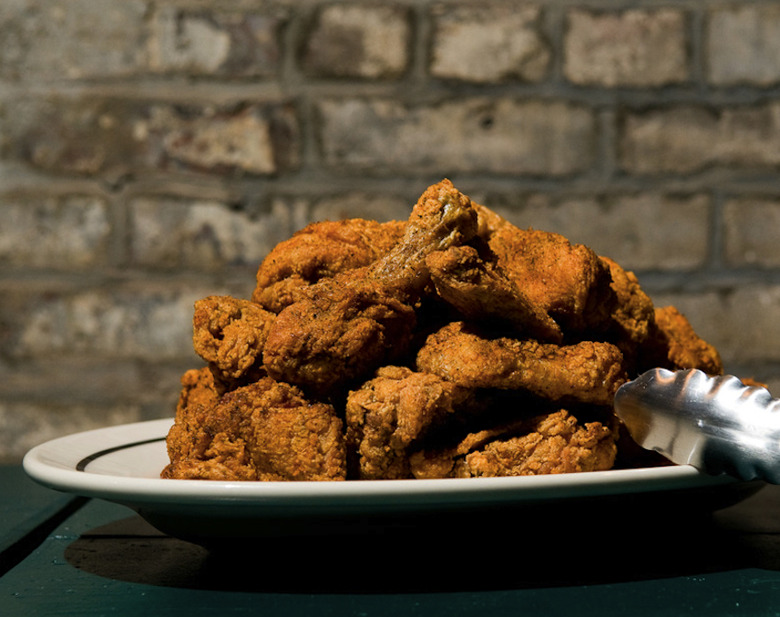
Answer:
(717, 424)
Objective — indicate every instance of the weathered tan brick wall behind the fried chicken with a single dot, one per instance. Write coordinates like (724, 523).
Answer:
(153, 151)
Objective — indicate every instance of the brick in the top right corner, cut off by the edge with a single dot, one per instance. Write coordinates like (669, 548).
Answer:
(743, 45)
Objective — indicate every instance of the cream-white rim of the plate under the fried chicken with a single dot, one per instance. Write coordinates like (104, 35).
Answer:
(45, 465)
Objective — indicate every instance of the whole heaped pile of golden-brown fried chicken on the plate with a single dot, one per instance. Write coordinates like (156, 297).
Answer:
(451, 345)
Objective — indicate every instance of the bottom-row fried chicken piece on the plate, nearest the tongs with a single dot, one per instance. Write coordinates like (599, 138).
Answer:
(546, 444)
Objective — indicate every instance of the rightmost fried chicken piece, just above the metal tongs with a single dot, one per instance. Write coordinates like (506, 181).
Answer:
(673, 344)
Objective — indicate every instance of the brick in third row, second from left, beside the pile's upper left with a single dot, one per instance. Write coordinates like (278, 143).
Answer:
(205, 235)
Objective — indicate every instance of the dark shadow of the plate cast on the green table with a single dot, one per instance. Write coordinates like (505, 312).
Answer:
(583, 542)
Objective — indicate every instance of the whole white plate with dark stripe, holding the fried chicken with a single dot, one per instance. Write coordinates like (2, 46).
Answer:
(122, 464)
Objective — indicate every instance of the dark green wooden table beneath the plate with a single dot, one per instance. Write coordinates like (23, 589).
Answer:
(70, 556)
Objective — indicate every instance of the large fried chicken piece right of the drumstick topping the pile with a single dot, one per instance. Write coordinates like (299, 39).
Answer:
(567, 281)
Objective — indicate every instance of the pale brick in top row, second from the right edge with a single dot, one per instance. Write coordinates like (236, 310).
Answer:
(634, 48)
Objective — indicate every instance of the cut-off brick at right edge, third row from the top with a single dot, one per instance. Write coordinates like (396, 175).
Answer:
(752, 227)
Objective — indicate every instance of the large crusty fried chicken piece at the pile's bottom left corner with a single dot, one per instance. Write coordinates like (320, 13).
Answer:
(263, 431)
